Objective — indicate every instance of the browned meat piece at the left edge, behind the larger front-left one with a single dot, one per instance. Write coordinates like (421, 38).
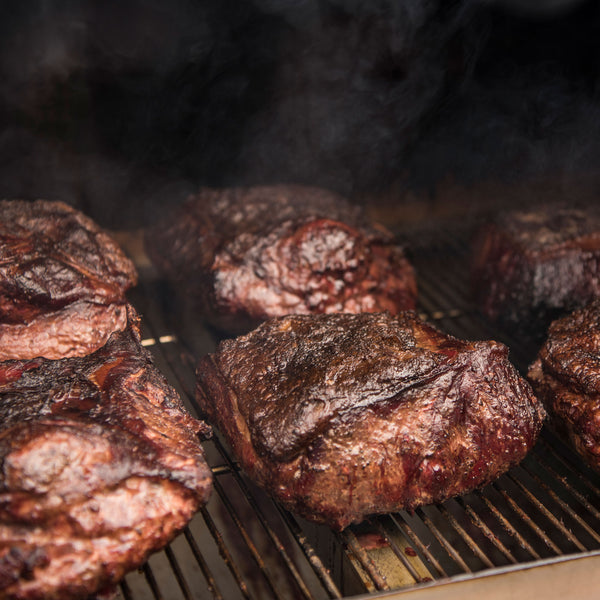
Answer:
(62, 281)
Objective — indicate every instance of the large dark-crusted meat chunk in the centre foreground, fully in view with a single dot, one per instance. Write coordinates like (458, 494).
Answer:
(345, 415)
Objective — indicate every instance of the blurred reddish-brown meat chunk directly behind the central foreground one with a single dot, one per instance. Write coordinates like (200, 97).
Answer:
(248, 254)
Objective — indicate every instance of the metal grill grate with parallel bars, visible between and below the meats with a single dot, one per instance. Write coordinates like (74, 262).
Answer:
(243, 545)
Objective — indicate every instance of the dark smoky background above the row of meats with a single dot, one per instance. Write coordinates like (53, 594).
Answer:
(413, 108)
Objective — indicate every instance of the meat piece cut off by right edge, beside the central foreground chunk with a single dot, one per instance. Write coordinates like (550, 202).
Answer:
(566, 377)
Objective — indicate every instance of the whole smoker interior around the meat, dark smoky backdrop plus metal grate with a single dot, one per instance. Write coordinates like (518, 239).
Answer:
(422, 110)
